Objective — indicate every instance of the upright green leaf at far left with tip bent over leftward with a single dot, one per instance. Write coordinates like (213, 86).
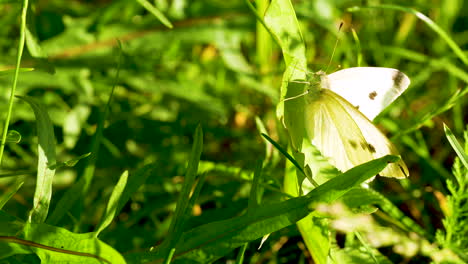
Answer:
(46, 152)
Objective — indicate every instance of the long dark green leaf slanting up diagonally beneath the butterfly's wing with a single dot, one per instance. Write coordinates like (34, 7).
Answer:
(211, 241)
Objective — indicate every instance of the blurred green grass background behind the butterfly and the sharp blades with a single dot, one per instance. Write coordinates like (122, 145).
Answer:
(217, 67)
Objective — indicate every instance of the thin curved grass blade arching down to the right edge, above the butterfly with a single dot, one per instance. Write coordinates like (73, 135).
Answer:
(444, 35)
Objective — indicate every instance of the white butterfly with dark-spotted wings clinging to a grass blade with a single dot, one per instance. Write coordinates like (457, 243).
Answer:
(338, 114)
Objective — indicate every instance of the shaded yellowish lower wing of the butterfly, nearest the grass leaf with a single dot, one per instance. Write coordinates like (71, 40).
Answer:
(346, 136)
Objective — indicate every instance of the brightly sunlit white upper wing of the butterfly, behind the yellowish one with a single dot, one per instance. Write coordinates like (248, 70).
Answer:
(370, 89)
